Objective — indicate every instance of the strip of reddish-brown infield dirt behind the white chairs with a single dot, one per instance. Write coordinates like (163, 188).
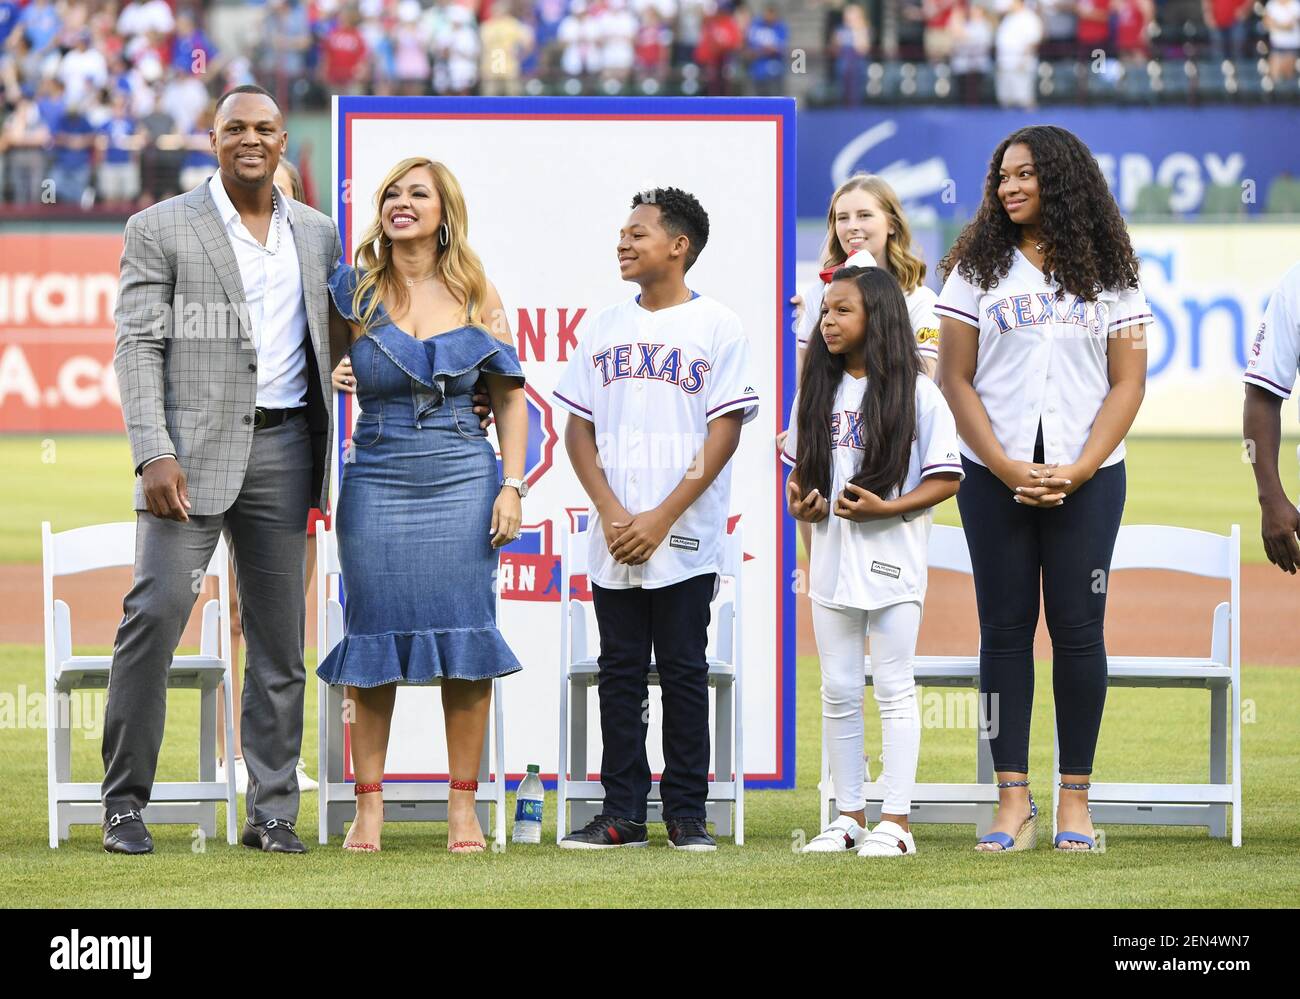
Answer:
(1149, 613)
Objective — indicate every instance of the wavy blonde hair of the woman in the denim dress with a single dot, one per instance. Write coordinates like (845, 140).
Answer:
(458, 266)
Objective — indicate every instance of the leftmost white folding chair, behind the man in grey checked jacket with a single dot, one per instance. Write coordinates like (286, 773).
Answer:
(172, 802)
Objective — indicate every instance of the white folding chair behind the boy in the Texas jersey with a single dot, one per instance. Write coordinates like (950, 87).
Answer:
(580, 672)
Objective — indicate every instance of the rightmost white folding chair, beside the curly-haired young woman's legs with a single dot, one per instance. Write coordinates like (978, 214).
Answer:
(1176, 550)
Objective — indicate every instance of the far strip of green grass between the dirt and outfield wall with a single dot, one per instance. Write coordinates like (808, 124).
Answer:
(71, 482)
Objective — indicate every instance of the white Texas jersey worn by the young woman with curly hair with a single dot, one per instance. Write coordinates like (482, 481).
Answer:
(1042, 358)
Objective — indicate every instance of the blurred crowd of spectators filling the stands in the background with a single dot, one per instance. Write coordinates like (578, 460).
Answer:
(112, 101)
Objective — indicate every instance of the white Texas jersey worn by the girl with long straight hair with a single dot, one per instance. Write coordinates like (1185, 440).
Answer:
(876, 564)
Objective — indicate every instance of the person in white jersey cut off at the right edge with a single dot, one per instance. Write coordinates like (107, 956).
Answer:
(1271, 374)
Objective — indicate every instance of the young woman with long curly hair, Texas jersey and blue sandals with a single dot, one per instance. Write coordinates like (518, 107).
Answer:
(1043, 352)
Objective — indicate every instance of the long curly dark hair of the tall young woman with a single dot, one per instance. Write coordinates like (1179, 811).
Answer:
(1086, 241)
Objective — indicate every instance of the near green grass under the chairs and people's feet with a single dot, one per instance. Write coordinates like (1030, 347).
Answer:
(1146, 736)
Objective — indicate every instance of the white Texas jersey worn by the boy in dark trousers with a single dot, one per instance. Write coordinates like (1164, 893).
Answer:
(652, 383)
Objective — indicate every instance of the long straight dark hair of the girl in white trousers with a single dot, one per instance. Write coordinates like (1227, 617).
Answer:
(889, 405)
